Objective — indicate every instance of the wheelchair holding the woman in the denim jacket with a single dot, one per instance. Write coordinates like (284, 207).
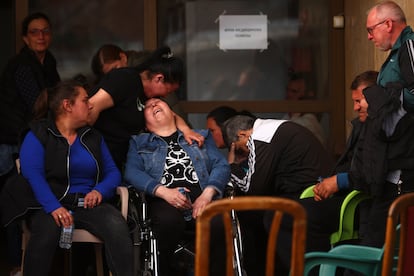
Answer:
(145, 244)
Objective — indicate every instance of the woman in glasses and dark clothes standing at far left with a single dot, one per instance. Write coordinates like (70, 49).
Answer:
(25, 75)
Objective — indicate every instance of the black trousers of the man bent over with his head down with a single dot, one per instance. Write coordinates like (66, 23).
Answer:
(322, 217)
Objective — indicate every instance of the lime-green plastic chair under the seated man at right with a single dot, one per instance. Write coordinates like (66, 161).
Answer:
(346, 229)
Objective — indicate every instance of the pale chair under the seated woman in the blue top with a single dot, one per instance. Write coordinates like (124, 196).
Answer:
(82, 235)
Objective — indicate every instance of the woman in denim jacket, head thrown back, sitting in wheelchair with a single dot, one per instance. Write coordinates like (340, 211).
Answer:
(161, 162)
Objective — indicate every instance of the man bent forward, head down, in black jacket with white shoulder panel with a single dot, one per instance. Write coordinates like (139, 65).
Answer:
(284, 158)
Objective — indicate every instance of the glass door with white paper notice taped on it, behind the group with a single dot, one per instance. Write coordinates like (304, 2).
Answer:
(246, 54)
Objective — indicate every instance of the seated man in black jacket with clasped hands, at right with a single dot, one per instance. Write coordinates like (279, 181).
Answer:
(381, 147)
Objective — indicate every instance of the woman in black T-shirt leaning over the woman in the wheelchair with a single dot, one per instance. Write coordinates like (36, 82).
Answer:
(118, 100)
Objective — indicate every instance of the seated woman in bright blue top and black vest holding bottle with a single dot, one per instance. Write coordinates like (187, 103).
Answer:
(71, 174)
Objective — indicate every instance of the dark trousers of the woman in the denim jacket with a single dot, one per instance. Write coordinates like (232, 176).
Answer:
(169, 227)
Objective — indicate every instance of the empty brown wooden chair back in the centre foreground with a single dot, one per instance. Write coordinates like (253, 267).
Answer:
(281, 206)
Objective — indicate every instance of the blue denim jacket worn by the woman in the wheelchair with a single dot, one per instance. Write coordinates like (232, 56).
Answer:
(147, 154)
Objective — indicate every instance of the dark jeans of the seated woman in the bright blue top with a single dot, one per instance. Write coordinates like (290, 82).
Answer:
(104, 221)
